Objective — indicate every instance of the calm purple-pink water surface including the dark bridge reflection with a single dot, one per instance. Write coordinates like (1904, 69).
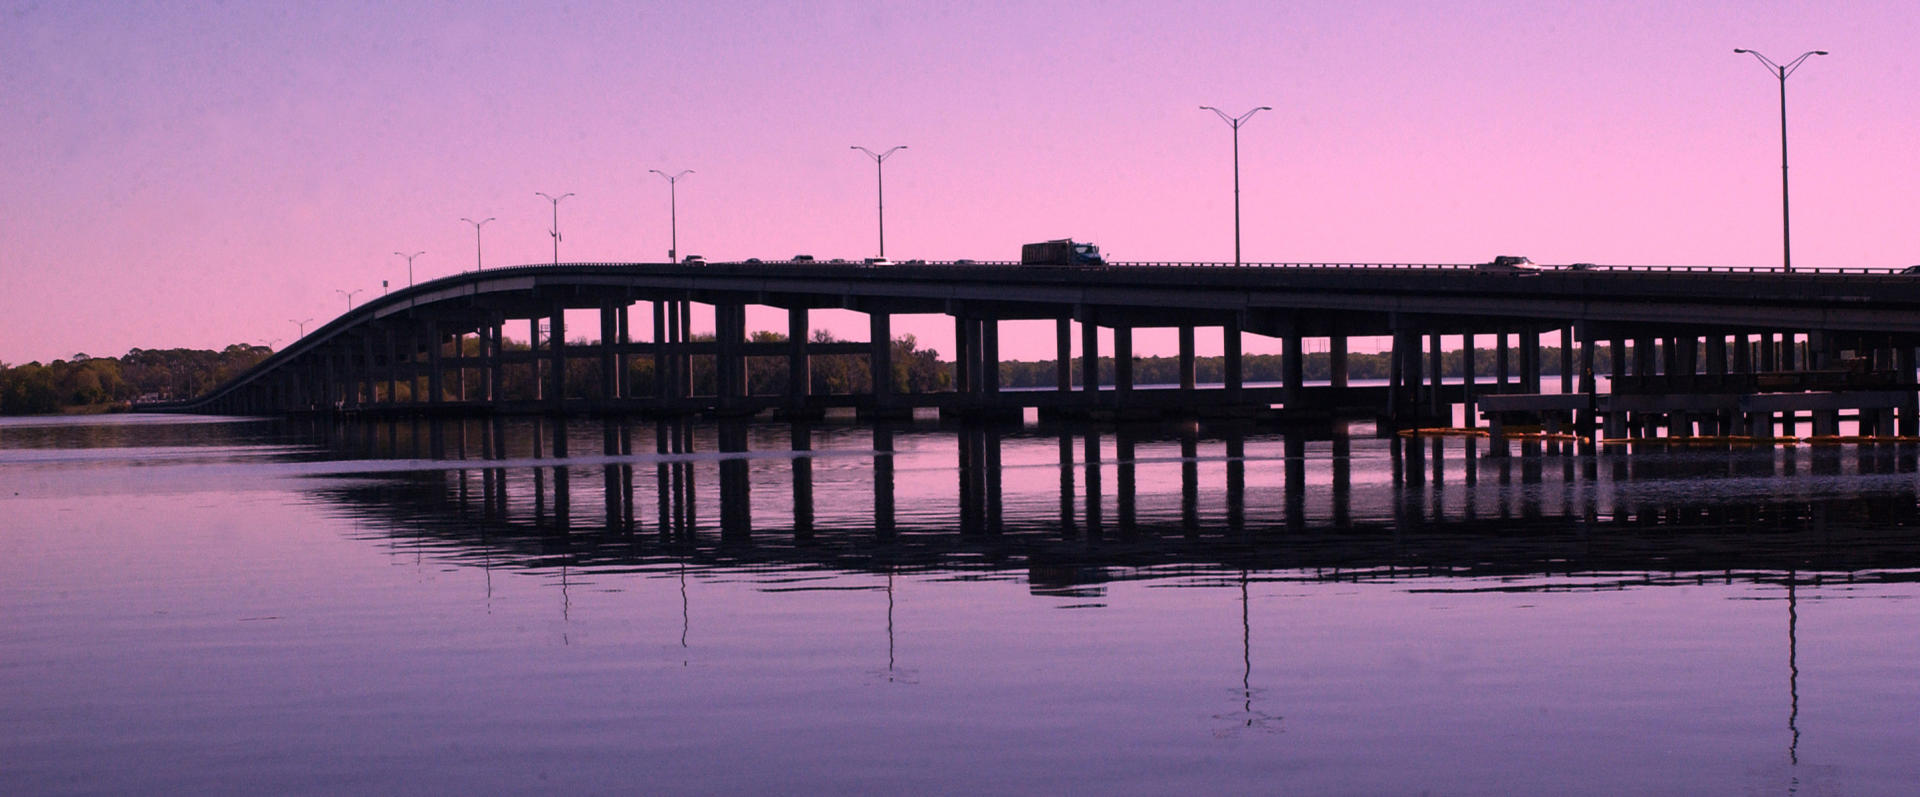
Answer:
(224, 606)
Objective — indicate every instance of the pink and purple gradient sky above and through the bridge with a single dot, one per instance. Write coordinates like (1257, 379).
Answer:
(204, 174)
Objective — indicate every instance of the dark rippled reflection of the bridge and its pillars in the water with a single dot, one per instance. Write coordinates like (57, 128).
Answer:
(1078, 506)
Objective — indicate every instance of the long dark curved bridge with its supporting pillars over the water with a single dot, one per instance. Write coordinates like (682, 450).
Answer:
(1666, 331)
